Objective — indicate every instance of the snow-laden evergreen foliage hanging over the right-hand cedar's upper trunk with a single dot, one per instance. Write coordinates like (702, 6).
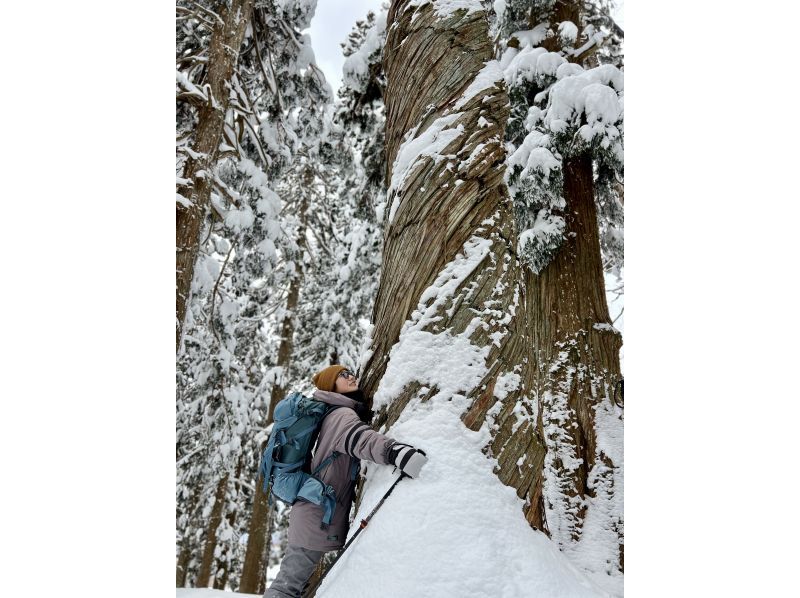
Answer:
(566, 89)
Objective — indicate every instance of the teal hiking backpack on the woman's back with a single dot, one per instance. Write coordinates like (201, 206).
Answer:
(286, 463)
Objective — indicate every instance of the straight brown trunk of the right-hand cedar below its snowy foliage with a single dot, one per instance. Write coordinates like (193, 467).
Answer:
(579, 371)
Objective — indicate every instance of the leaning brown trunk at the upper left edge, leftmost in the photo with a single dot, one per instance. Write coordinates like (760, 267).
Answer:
(222, 57)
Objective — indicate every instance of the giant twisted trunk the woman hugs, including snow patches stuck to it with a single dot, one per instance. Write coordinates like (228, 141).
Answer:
(449, 319)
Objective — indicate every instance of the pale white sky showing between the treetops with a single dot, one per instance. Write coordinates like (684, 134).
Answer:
(334, 19)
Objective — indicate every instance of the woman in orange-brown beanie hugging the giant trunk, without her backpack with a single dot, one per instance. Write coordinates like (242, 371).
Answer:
(343, 431)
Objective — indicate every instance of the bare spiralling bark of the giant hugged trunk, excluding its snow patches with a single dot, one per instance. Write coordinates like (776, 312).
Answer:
(430, 62)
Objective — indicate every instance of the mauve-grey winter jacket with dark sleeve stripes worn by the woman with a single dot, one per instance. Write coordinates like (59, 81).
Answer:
(342, 431)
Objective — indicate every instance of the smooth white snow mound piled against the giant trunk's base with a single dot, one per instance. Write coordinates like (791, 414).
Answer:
(455, 532)
